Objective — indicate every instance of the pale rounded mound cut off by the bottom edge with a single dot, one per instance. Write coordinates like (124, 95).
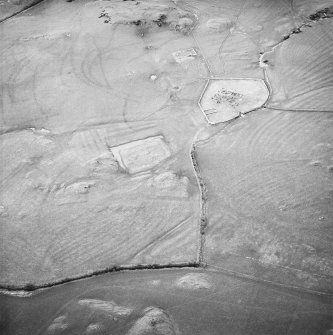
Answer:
(154, 321)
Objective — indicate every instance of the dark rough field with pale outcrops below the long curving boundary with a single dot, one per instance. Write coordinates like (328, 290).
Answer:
(164, 302)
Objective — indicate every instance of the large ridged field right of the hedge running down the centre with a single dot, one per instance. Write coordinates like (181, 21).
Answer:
(270, 194)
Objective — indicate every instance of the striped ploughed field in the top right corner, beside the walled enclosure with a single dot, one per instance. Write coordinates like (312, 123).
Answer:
(298, 71)
